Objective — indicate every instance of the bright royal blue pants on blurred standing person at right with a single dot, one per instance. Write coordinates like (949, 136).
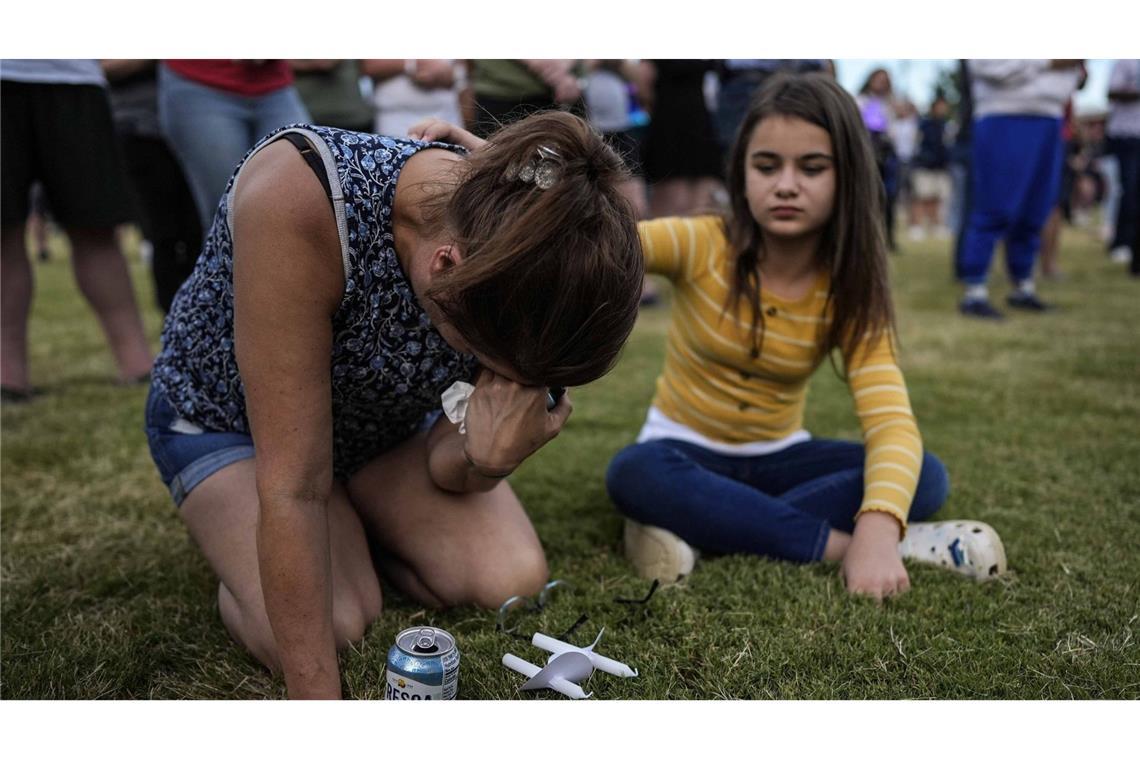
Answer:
(1016, 177)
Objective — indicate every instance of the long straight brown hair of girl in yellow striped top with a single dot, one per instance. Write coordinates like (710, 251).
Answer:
(852, 248)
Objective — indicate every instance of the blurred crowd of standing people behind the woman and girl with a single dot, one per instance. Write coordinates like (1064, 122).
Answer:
(159, 141)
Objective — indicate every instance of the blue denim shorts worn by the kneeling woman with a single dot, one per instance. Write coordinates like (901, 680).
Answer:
(185, 454)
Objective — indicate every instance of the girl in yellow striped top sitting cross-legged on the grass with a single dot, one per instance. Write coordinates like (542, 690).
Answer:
(795, 272)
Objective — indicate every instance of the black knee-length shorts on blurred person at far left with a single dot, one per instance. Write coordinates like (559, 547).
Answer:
(63, 137)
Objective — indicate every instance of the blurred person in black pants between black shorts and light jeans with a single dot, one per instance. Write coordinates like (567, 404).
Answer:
(165, 207)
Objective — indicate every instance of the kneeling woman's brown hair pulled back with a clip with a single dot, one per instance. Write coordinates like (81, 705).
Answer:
(551, 279)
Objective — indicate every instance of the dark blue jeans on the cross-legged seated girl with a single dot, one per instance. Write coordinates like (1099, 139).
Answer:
(780, 505)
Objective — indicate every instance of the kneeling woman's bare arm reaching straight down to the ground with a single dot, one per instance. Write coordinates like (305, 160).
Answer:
(288, 284)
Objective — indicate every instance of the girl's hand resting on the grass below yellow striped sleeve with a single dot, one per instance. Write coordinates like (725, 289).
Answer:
(872, 565)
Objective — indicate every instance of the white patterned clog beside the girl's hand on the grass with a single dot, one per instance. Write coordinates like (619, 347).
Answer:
(965, 546)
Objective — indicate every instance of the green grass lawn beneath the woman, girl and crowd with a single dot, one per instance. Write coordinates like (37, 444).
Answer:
(1038, 421)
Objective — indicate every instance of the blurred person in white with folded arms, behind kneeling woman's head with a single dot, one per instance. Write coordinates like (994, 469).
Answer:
(409, 91)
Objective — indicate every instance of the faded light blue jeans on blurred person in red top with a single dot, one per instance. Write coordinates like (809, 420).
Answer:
(211, 130)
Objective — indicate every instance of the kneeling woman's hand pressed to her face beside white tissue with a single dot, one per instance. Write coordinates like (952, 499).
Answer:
(508, 422)
